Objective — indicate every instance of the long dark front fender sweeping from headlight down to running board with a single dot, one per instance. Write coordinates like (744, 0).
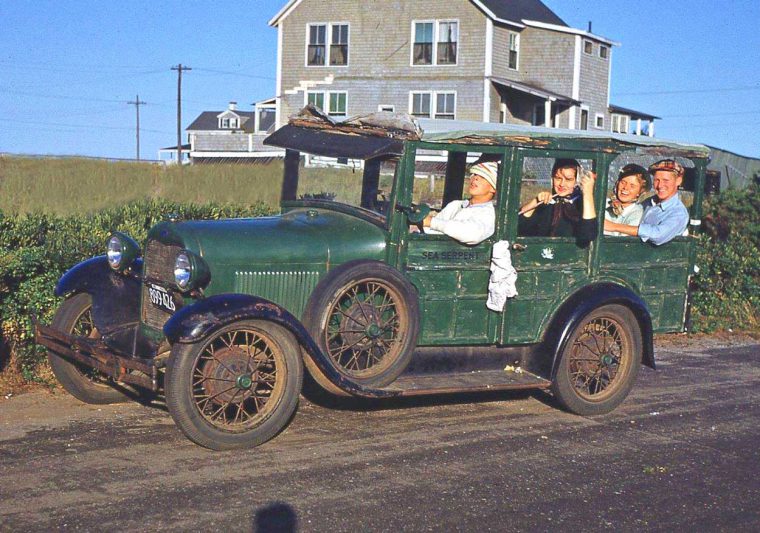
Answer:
(196, 322)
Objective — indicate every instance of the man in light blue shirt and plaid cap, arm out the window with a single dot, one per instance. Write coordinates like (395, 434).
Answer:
(665, 216)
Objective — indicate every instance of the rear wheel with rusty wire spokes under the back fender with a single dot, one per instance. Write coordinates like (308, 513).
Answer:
(600, 361)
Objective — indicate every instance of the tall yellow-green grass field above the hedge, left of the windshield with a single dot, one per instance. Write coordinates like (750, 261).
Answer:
(67, 186)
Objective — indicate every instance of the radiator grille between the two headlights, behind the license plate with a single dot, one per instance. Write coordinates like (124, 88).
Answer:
(159, 268)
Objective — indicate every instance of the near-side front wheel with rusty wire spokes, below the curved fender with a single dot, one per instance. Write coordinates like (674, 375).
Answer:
(237, 388)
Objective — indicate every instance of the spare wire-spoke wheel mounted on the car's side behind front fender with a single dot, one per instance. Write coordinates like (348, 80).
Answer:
(365, 318)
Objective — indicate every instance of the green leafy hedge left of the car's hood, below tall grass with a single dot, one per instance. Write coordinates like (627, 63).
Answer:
(36, 249)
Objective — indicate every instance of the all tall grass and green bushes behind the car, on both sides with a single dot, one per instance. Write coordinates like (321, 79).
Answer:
(55, 213)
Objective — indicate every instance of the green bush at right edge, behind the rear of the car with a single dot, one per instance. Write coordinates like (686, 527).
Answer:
(727, 288)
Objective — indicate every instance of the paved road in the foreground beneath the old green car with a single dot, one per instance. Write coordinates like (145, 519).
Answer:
(680, 454)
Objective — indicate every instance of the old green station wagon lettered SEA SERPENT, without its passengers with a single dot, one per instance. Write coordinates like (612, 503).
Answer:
(283, 268)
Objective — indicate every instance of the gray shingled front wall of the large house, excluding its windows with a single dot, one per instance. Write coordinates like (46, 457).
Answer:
(376, 64)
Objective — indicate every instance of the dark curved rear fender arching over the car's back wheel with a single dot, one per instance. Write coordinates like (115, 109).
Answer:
(583, 302)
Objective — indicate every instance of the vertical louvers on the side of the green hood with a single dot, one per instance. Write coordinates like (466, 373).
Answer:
(288, 289)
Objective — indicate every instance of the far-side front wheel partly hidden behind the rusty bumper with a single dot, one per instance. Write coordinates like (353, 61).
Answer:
(74, 317)
